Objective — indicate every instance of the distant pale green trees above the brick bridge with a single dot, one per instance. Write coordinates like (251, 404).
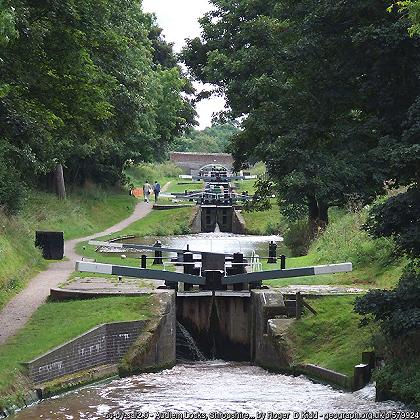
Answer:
(214, 139)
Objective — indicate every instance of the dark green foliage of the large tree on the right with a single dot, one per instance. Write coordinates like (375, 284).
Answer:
(324, 88)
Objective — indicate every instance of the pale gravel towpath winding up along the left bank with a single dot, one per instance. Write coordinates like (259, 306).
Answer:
(18, 311)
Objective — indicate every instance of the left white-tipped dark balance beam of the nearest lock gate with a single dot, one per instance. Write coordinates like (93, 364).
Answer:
(141, 273)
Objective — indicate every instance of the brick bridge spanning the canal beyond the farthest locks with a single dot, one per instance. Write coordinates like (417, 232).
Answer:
(192, 162)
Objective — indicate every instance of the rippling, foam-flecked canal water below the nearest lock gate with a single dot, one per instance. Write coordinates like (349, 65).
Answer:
(209, 390)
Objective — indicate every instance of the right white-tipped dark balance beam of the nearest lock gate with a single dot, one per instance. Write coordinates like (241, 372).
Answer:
(288, 273)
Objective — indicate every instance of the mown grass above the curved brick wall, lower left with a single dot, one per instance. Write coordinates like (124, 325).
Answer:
(55, 323)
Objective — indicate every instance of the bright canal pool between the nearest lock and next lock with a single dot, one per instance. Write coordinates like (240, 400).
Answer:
(228, 243)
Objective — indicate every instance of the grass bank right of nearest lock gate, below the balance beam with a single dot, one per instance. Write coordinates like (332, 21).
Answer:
(332, 338)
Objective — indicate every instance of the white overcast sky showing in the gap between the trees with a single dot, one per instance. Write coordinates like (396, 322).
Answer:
(179, 20)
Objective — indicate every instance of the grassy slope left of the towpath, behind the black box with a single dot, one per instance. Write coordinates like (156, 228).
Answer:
(84, 212)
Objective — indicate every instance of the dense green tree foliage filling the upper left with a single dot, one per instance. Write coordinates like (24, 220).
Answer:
(86, 85)
